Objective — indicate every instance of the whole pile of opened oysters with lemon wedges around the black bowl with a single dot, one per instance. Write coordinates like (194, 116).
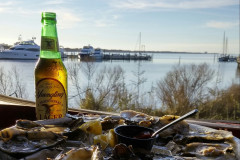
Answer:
(92, 137)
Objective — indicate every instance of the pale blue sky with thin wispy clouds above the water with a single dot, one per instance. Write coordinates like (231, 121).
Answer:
(165, 25)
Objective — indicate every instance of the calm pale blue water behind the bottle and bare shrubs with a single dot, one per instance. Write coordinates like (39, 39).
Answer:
(154, 70)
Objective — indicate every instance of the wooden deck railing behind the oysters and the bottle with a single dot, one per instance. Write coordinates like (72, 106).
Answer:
(12, 109)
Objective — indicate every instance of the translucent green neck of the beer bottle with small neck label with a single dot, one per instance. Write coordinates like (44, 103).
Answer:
(49, 40)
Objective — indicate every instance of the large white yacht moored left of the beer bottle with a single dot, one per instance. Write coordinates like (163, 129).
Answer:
(22, 50)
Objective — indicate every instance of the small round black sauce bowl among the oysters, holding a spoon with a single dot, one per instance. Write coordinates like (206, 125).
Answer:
(125, 135)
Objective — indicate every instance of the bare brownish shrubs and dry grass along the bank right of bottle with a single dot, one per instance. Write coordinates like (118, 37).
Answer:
(184, 88)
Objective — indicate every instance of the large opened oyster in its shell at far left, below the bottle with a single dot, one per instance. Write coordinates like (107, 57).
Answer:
(17, 140)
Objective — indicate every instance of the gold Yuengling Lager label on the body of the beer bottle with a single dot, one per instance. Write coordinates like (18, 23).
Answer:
(51, 99)
